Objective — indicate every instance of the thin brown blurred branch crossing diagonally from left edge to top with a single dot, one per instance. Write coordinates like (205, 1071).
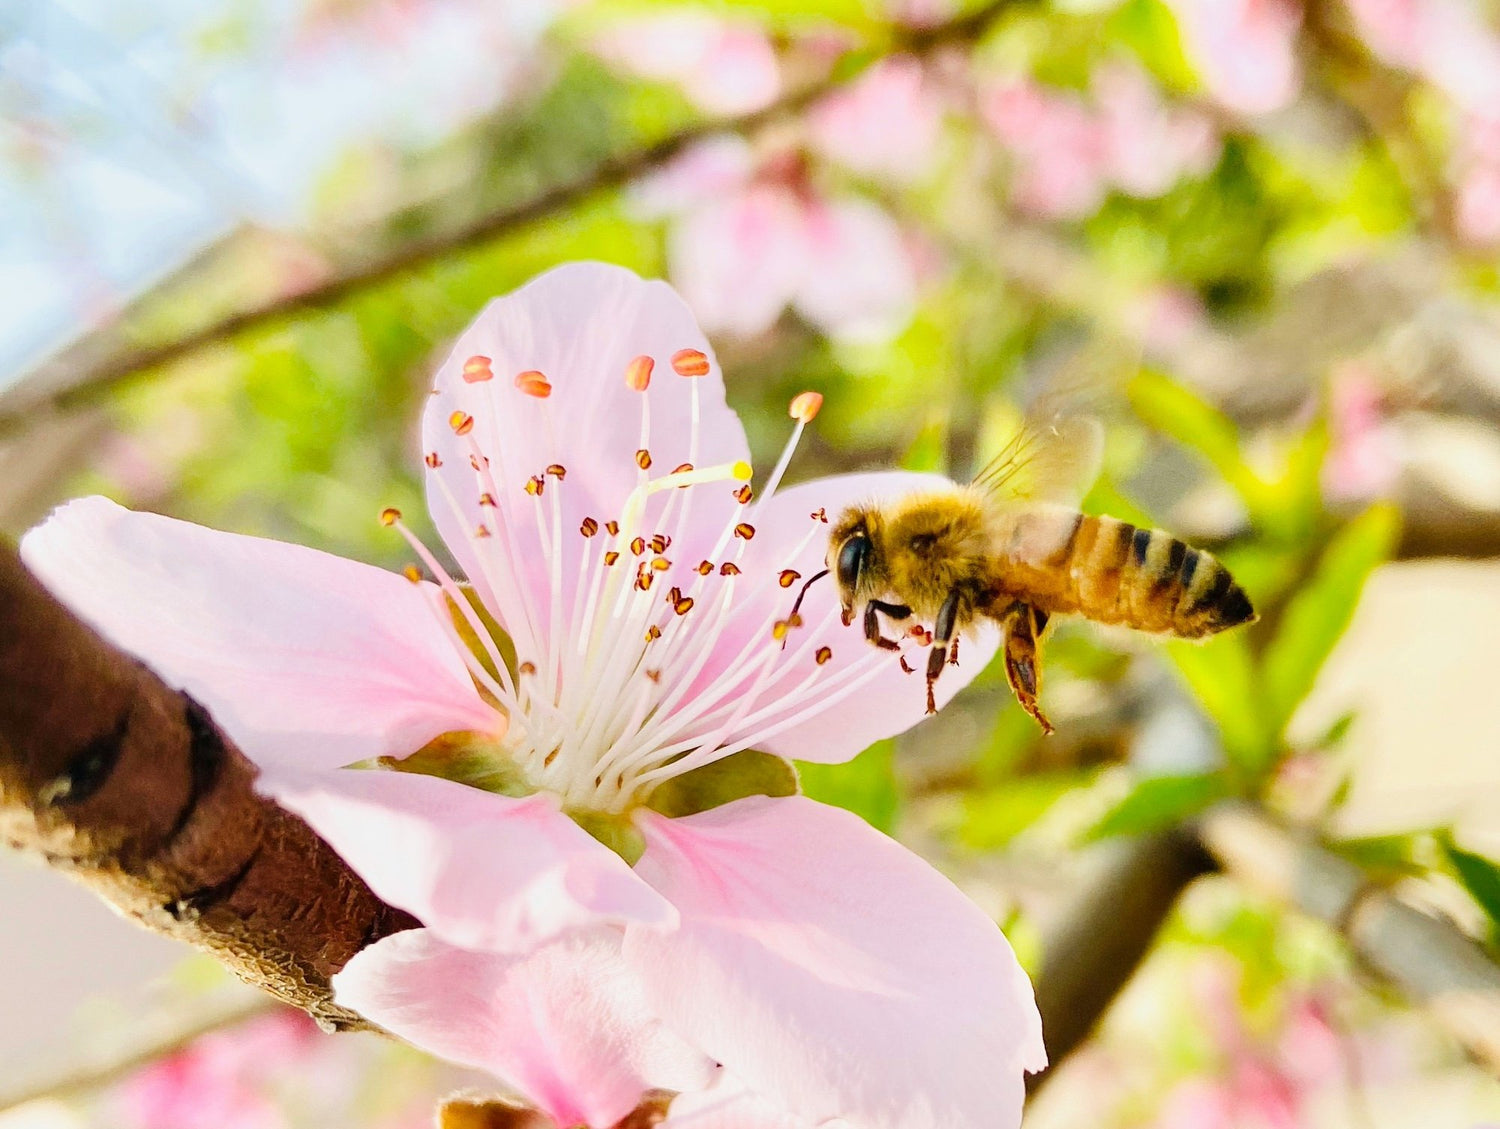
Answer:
(79, 377)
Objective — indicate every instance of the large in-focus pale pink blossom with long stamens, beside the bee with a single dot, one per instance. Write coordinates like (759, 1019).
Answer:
(587, 476)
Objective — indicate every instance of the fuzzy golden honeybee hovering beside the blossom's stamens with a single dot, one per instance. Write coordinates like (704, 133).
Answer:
(1013, 548)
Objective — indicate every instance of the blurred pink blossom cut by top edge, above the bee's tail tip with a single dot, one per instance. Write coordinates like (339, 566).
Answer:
(1244, 50)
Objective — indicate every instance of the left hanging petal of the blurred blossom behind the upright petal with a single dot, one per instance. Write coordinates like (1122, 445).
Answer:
(737, 260)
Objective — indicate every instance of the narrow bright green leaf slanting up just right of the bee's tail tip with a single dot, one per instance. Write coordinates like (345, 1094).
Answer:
(1319, 614)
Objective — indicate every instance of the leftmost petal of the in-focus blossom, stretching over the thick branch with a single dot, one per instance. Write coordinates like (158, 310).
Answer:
(305, 659)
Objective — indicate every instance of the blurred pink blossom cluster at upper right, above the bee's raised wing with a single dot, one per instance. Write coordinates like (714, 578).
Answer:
(1072, 152)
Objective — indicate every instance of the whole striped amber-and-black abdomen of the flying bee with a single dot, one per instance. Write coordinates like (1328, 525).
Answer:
(1109, 570)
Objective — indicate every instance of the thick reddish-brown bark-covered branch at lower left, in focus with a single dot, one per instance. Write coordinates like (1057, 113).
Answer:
(130, 786)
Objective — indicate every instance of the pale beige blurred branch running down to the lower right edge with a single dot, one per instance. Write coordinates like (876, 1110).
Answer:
(1430, 962)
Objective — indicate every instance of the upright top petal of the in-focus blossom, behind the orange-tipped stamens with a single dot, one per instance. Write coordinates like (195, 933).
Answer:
(580, 326)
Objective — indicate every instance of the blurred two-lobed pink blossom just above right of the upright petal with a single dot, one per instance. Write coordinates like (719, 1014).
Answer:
(754, 238)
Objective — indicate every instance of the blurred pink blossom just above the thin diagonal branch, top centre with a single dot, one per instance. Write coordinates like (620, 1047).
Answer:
(724, 67)
